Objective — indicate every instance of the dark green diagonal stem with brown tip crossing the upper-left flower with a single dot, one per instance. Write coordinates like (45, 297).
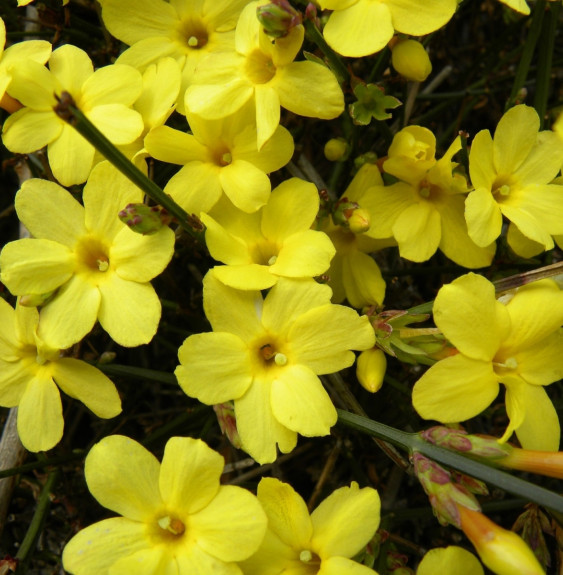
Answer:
(66, 110)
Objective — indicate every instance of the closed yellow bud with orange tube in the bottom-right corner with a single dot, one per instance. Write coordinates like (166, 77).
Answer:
(502, 551)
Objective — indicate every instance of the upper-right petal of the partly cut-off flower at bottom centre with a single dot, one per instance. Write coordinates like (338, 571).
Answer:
(345, 521)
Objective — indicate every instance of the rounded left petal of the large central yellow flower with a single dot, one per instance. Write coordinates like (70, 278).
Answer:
(214, 367)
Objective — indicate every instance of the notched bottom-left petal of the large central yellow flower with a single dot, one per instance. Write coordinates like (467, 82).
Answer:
(258, 429)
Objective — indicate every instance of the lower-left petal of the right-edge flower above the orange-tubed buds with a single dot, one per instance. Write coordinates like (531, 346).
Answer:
(455, 389)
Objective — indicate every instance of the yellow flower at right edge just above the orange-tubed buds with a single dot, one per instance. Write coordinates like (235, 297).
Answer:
(516, 341)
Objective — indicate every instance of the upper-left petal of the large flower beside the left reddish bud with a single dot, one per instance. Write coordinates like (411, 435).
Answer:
(50, 212)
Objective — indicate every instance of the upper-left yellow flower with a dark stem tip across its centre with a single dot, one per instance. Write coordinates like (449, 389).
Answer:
(104, 96)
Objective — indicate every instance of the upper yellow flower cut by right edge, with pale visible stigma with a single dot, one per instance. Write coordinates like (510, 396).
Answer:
(511, 175)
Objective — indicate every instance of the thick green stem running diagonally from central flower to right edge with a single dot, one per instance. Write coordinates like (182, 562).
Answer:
(413, 442)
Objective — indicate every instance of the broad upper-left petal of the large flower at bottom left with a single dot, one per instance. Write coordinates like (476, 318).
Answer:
(123, 476)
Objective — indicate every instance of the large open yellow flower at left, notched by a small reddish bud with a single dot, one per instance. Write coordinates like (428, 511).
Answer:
(100, 268)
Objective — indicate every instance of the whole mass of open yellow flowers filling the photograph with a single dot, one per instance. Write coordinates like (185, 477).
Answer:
(287, 258)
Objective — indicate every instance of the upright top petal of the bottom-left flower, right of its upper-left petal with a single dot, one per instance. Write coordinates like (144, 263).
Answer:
(189, 474)
